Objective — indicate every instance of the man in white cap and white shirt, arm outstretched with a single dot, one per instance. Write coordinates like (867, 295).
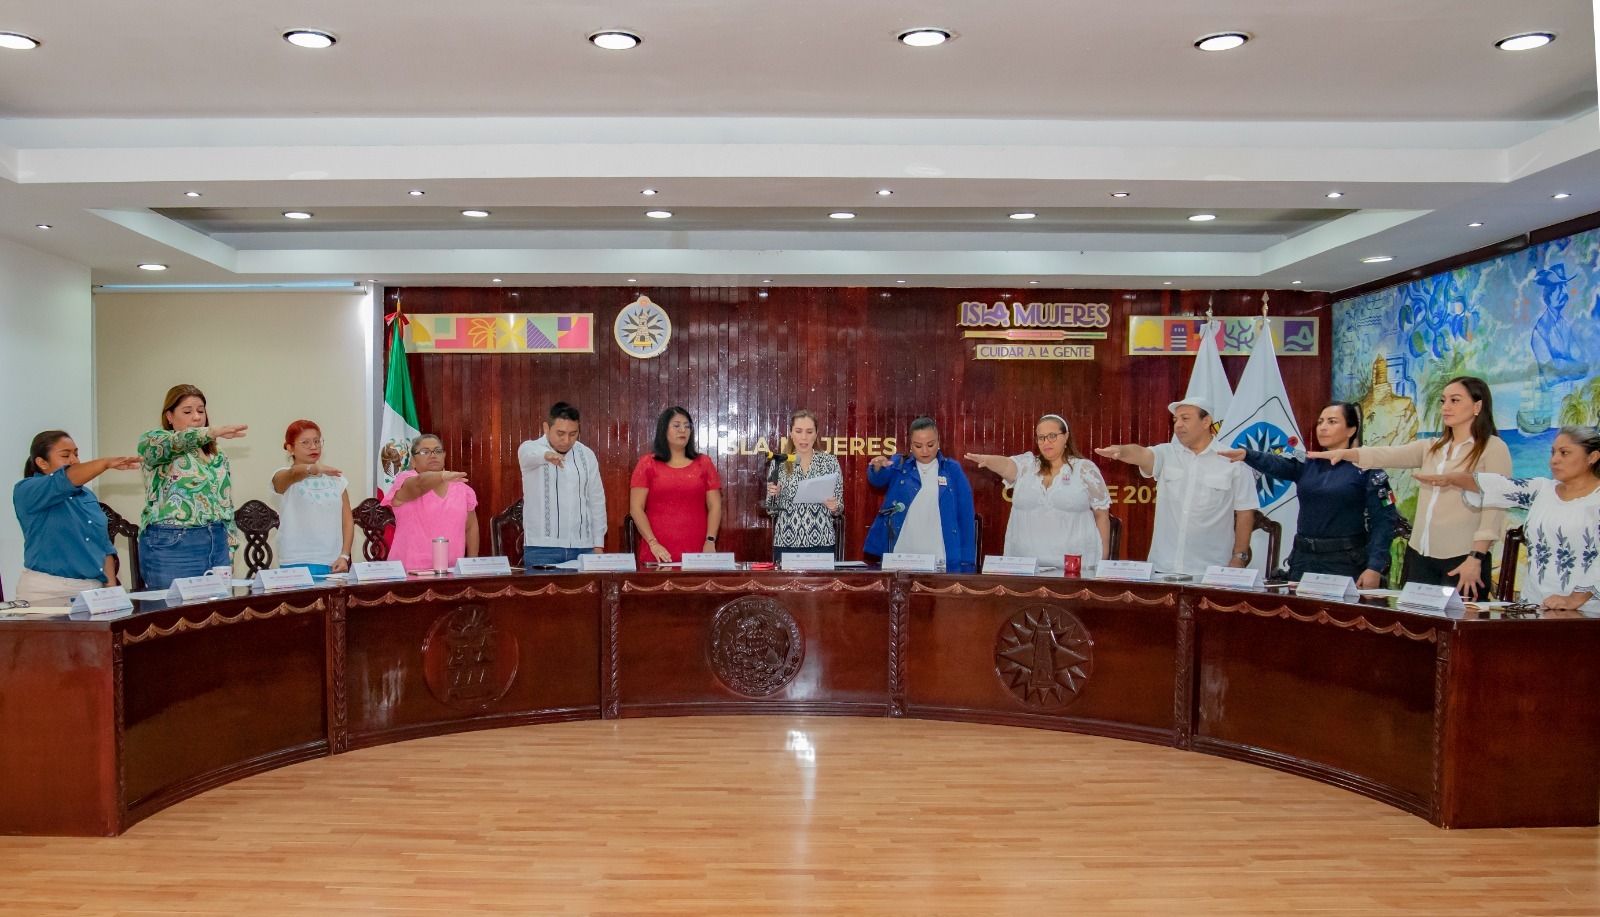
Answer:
(1204, 503)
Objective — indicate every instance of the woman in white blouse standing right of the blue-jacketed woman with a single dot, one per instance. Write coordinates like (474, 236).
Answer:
(1060, 503)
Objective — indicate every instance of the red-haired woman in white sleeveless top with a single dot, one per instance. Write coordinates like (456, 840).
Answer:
(314, 507)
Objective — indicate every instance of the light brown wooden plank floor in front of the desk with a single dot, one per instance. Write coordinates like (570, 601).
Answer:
(791, 815)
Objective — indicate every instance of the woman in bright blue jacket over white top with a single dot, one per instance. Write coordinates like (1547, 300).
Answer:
(929, 507)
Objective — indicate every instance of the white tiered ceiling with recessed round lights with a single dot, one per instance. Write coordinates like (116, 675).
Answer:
(754, 121)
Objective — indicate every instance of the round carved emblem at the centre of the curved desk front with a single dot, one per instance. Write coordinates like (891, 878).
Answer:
(754, 646)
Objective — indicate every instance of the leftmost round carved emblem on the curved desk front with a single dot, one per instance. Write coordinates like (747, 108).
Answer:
(468, 660)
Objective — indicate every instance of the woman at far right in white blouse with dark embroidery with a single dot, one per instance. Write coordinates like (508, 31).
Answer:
(1564, 519)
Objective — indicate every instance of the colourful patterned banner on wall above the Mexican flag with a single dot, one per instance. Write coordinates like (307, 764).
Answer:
(502, 334)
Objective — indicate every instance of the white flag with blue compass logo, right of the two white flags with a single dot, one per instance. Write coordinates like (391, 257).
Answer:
(1262, 420)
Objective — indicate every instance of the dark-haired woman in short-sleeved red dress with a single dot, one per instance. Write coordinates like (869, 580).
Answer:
(676, 495)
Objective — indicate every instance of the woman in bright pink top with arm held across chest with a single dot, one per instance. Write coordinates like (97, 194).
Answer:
(433, 503)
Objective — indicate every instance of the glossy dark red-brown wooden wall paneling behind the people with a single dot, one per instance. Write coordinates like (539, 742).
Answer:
(866, 361)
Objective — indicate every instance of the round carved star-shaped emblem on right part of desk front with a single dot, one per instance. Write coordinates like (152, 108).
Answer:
(1044, 657)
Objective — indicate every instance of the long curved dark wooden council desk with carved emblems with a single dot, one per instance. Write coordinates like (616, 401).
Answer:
(1470, 721)
